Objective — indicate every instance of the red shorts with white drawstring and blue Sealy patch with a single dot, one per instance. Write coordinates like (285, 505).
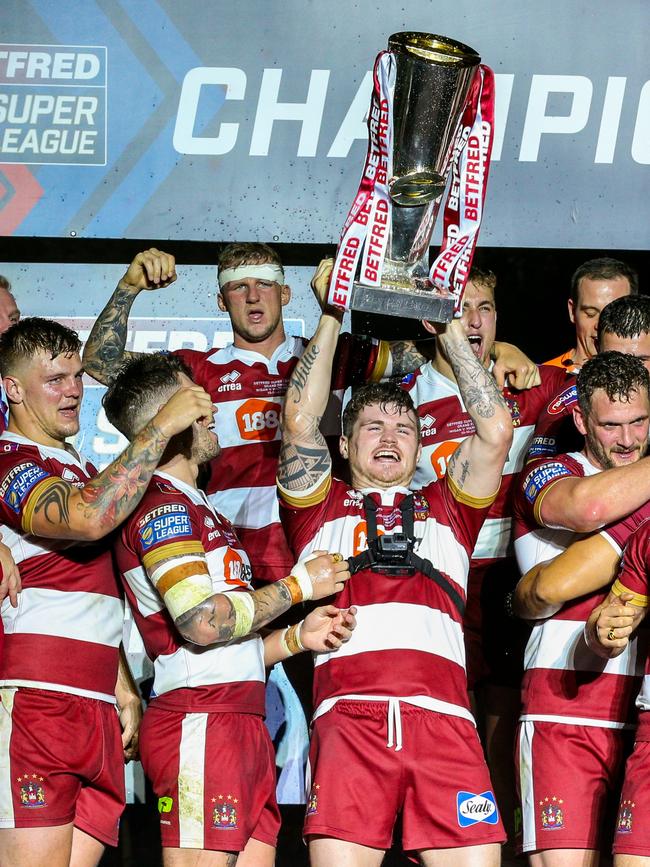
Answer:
(438, 781)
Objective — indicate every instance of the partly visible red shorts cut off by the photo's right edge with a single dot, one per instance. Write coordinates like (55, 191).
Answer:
(631, 831)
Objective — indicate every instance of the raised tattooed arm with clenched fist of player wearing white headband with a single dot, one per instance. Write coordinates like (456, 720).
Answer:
(104, 353)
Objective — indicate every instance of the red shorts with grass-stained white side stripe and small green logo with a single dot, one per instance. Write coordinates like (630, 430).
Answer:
(214, 776)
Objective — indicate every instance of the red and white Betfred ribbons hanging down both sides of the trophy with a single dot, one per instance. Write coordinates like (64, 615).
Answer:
(367, 227)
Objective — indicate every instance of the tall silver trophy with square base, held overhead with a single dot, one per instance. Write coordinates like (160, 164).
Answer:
(433, 77)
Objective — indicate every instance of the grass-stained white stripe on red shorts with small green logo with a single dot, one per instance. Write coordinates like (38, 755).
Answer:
(191, 775)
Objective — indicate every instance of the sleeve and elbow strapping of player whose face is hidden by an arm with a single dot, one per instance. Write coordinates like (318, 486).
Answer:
(167, 541)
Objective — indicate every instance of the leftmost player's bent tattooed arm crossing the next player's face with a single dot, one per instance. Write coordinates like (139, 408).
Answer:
(57, 509)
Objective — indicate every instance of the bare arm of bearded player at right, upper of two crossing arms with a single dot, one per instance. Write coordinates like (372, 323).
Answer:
(585, 504)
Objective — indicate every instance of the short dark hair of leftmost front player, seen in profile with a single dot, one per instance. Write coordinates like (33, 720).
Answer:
(33, 334)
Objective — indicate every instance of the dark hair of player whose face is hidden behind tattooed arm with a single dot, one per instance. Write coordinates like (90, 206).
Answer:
(144, 381)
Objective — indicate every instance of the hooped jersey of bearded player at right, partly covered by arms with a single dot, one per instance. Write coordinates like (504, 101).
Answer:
(564, 680)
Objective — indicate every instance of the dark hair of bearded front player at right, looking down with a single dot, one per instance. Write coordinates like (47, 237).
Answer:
(616, 373)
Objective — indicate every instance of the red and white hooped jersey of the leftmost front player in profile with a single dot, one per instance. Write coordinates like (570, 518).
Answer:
(66, 631)
